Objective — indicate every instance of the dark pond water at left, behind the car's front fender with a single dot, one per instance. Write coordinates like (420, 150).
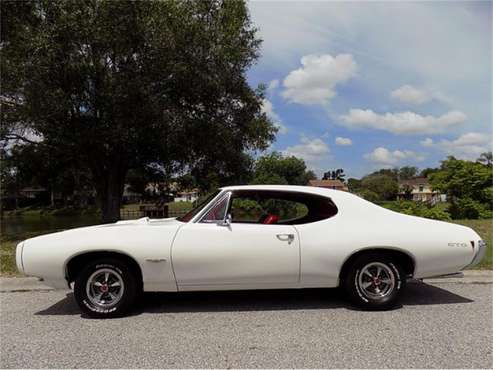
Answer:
(20, 227)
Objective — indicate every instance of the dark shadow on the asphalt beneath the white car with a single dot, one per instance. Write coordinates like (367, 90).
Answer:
(260, 300)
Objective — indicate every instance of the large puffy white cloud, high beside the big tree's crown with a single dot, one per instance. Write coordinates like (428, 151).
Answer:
(315, 81)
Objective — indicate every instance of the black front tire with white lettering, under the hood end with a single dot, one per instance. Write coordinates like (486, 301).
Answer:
(121, 275)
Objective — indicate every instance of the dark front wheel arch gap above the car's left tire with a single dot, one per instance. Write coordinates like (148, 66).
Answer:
(76, 263)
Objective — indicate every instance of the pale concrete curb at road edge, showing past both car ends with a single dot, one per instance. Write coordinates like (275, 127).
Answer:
(33, 284)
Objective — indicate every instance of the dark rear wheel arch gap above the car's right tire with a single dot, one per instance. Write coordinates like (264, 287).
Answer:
(405, 259)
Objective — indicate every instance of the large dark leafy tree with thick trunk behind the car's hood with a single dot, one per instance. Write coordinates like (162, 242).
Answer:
(120, 85)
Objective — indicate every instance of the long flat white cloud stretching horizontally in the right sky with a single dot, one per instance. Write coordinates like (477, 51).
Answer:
(402, 123)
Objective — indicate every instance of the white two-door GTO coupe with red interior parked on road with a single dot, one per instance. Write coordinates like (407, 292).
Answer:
(253, 237)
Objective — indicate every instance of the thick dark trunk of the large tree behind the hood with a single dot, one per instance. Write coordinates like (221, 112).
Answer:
(110, 185)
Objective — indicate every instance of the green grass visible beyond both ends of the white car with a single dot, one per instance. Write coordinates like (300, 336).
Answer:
(7, 244)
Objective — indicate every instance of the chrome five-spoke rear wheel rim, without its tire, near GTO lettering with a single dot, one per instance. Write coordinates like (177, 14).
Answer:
(376, 280)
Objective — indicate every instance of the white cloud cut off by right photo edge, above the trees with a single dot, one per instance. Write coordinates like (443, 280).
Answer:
(466, 146)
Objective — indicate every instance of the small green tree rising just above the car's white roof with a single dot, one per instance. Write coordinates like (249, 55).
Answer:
(278, 169)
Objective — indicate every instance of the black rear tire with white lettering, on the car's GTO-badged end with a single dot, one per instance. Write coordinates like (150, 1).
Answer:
(368, 298)
